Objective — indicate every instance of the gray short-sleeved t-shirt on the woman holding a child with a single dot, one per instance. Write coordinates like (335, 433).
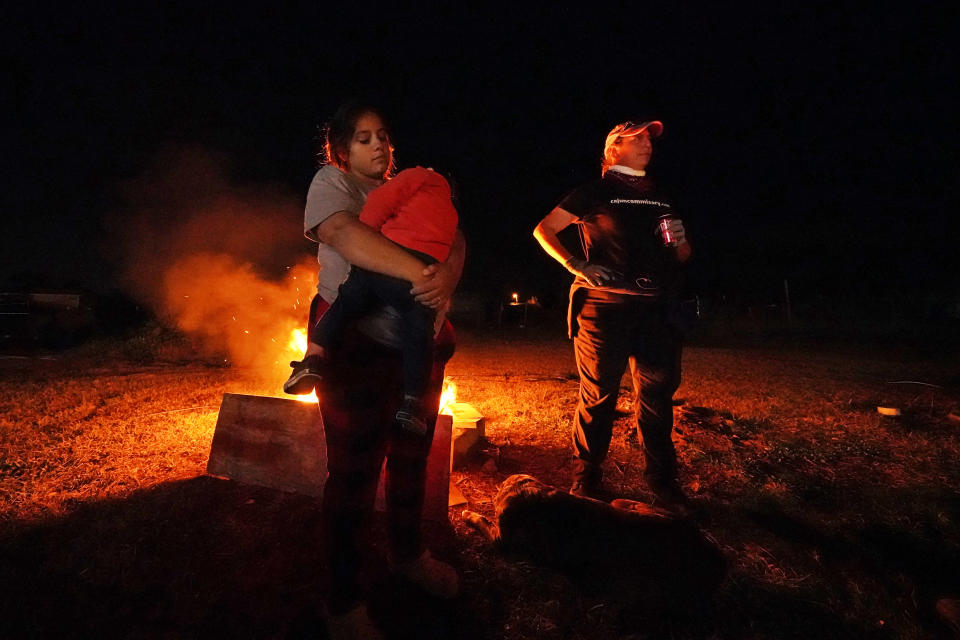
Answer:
(331, 191)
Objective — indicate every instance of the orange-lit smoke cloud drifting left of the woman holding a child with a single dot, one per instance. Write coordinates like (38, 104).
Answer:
(224, 262)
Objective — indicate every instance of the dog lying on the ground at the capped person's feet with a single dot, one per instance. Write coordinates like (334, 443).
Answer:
(624, 546)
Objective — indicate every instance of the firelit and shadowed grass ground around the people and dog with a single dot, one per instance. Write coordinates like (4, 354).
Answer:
(836, 521)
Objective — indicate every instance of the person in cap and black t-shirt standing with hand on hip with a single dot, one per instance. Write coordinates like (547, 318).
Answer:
(620, 304)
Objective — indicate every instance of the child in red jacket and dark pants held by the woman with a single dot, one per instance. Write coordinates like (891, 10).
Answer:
(414, 210)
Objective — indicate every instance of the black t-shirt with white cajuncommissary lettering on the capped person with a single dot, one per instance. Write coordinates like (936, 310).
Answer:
(618, 216)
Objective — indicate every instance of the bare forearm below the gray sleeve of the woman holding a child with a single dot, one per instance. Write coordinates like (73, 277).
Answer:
(360, 245)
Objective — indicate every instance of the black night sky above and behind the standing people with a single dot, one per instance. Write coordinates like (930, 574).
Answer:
(804, 141)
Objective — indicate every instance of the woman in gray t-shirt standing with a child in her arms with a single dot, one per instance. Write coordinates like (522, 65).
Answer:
(361, 400)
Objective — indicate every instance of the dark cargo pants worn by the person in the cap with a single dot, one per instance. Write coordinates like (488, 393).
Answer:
(609, 332)
